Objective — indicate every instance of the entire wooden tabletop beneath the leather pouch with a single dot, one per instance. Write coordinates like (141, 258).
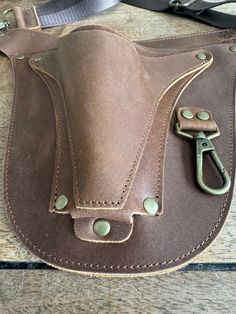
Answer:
(206, 285)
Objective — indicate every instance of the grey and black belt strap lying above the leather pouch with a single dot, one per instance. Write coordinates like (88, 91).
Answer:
(59, 12)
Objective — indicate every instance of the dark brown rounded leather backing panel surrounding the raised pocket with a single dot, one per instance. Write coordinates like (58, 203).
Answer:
(191, 219)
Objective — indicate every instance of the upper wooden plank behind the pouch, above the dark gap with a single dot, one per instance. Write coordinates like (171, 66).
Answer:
(135, 24)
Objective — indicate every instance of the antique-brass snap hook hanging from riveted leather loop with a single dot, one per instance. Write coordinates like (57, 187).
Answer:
(205, 146)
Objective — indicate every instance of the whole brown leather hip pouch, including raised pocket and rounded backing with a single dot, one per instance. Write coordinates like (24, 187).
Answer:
(93, 120)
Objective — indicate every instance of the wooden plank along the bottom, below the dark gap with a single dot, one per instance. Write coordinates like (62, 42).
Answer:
(23, 291)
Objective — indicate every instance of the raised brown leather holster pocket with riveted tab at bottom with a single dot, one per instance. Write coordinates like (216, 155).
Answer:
(106, 95)
